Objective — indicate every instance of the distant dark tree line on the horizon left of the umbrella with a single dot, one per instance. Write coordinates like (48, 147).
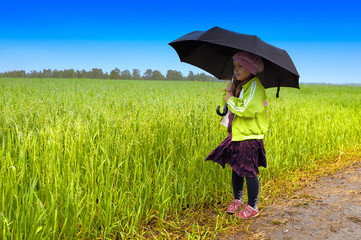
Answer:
(97, 73)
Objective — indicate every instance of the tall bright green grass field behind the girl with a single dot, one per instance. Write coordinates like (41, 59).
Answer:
(102, 159)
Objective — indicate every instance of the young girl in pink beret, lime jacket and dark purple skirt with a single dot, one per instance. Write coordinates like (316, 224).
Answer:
(243, 148)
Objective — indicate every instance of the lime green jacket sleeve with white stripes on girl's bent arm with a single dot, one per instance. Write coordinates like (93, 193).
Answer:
(252, 102)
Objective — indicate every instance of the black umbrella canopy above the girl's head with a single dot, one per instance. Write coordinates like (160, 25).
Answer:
(213, 50)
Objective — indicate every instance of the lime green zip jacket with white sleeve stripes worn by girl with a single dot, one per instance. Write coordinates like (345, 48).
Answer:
(250, 109)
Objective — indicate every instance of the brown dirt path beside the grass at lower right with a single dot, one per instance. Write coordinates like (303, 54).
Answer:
(329, 209)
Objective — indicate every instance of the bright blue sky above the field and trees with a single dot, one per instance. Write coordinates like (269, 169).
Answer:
(322, 37)
